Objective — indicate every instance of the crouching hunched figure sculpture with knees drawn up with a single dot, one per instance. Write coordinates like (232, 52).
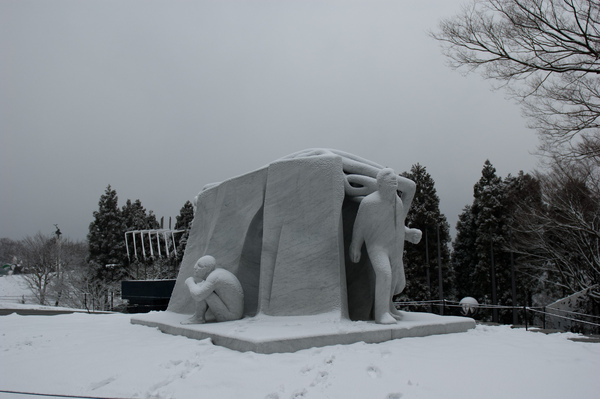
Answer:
(217, 292)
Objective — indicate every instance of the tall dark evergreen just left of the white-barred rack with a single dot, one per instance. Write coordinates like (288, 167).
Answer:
(106, 239)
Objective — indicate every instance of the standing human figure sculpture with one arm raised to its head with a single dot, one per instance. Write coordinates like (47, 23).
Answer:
(380, 226)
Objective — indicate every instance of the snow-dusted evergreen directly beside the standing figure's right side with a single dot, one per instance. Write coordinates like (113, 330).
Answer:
(422, 278)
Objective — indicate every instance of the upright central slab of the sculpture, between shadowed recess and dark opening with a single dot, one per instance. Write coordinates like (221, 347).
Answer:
(302, 263)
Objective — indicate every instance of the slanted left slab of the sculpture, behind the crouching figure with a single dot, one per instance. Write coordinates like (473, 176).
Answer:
(227, 225)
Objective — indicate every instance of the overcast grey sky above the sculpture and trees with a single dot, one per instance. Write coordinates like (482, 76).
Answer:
(160, 98)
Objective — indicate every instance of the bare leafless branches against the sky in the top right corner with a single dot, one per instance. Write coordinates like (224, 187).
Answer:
(546, 53)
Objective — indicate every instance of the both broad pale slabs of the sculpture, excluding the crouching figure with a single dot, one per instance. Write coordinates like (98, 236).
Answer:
(279, 230)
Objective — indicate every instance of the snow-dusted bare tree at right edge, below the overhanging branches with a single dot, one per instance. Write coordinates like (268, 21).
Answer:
(561, 236)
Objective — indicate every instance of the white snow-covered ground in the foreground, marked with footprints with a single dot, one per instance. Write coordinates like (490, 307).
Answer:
(106, 356)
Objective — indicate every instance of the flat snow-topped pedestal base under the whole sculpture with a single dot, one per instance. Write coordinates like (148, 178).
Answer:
(280, 334)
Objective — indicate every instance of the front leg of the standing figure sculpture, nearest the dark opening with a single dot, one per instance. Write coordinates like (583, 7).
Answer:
(383, 288)
